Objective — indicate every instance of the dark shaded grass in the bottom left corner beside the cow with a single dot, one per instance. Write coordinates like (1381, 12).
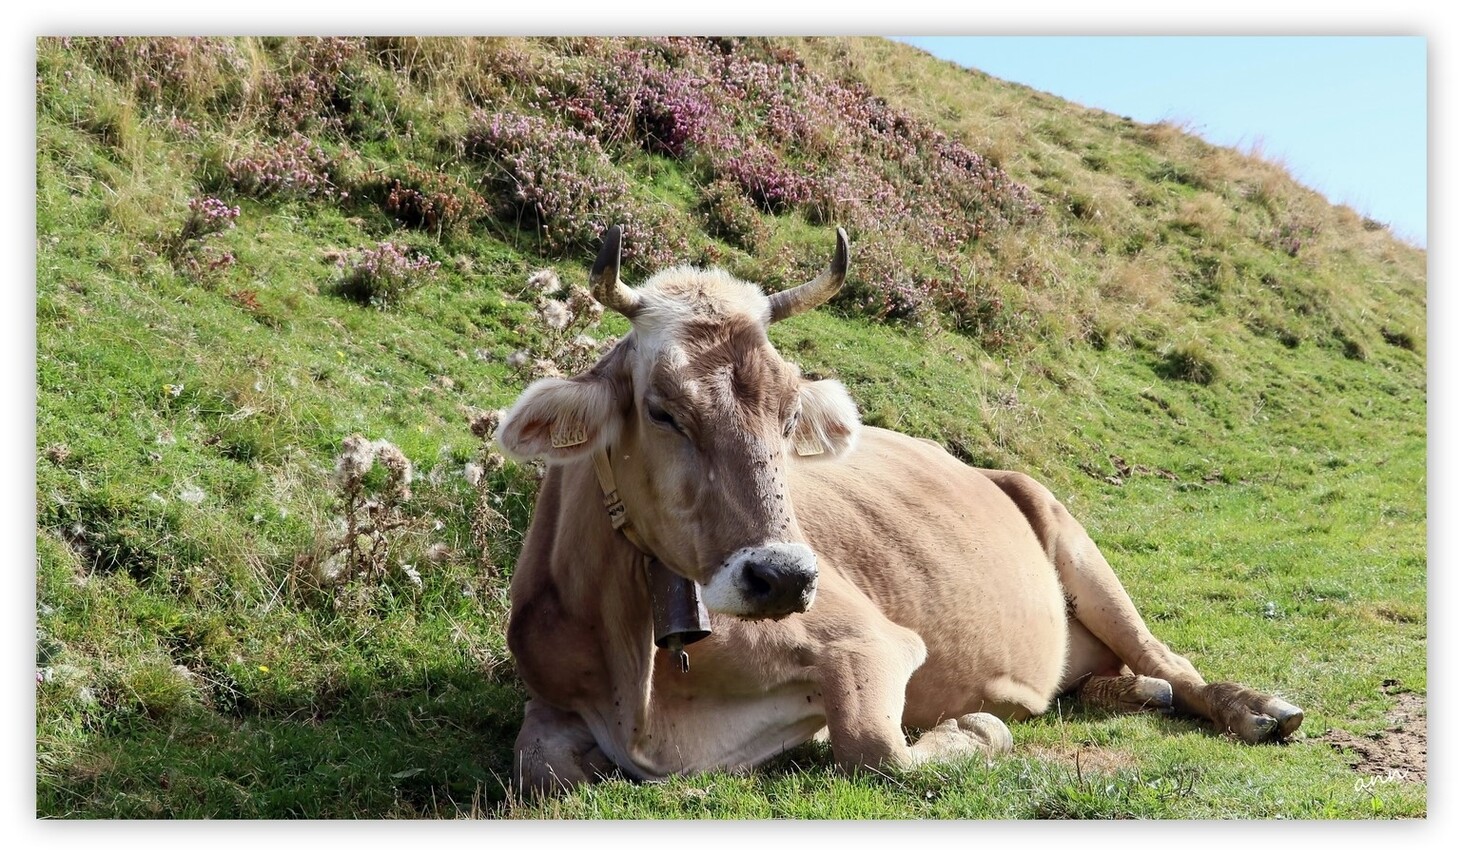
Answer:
(435, 746)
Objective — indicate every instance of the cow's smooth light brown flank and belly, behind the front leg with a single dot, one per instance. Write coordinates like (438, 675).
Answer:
(945, 552)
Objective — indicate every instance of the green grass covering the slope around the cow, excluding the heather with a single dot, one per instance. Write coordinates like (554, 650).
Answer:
(1243, 431)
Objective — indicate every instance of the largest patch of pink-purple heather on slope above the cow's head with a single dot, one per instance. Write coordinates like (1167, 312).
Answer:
(825, 149)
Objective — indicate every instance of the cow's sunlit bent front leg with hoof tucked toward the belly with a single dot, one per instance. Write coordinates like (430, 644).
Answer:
(863, 684)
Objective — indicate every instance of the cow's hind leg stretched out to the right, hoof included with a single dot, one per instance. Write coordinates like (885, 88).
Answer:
(1102, 605)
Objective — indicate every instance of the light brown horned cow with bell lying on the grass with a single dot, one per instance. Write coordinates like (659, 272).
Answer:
(837, 582)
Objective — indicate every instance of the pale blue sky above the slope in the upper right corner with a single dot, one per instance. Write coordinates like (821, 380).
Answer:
(1346, 115)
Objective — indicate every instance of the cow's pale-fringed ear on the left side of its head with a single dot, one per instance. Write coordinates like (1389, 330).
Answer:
(561, 419)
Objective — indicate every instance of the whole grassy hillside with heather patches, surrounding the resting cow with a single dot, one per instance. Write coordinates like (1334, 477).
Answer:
(281, 285)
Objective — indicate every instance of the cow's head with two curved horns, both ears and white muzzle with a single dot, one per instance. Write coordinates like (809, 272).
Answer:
(701, 418)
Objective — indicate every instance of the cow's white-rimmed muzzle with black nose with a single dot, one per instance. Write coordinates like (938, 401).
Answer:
(771, 582)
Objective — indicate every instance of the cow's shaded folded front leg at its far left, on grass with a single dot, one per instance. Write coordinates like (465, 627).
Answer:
(555, 753)
